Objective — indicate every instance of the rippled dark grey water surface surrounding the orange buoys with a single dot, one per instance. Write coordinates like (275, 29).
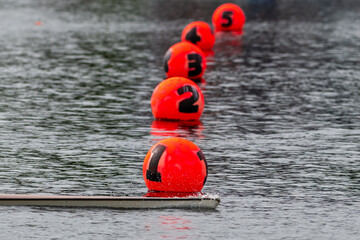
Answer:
(280, 128)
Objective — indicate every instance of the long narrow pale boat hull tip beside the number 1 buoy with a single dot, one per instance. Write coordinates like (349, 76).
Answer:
(109, 202)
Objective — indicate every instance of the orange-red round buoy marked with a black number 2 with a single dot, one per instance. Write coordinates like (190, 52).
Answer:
(177, 98)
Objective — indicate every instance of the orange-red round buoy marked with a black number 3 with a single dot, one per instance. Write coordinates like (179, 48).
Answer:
(185, 59)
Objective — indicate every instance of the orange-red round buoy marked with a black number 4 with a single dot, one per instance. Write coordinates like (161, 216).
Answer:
(200, 34)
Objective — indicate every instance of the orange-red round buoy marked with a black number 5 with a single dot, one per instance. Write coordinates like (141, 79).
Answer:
(228, 17)
